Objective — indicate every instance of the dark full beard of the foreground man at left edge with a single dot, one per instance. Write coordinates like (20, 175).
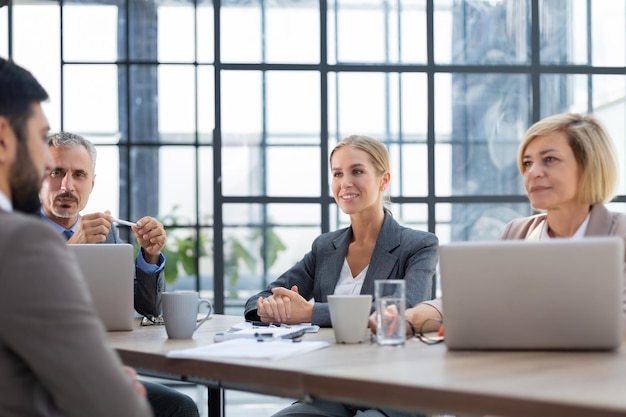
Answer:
(25, 182)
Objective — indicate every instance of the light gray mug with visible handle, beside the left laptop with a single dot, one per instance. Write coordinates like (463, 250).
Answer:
(180, 313)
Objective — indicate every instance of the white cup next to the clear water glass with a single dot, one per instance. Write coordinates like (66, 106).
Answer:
(349, 314)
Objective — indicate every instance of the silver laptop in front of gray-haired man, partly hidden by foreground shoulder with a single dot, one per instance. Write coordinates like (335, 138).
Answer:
(109, 270)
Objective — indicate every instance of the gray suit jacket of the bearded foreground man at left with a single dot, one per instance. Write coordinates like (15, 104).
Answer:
(54, 355)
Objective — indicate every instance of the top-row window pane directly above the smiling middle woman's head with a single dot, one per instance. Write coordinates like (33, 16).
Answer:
(377, 31)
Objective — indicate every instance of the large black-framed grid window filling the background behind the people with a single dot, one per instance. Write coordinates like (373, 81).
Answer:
(218, 117)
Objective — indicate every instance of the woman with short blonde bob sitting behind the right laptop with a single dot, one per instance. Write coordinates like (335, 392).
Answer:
(570, 171)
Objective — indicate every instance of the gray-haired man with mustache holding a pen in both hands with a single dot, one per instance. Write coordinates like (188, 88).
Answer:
(65, 192)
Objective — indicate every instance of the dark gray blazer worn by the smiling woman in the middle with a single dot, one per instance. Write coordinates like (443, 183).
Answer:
(400, 253)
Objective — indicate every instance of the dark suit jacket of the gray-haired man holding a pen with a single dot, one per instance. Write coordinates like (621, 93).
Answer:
(148, 287)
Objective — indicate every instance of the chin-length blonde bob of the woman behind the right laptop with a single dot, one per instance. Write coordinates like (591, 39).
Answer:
(592, 147)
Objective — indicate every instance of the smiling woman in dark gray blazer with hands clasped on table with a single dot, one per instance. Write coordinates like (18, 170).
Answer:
(348, 261)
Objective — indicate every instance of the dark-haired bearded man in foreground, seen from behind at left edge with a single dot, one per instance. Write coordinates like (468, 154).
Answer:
(54, 355)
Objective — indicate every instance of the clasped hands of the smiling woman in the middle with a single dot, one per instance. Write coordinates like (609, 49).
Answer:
(284, 306)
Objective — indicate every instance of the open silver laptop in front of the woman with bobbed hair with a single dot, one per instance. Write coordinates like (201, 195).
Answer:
(559, 294)
